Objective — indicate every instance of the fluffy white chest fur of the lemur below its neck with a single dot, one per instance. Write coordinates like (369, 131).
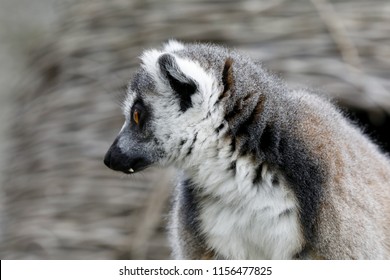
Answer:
(245, 221)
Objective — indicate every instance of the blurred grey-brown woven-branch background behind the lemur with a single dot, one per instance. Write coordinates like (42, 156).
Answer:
(65, 64)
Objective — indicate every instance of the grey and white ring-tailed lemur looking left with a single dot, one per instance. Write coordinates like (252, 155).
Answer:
(266, 172)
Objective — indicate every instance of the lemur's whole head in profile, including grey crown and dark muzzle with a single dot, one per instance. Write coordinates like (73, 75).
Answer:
(179, 96)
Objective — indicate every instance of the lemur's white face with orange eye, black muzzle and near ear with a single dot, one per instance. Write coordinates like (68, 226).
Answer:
(168, 102)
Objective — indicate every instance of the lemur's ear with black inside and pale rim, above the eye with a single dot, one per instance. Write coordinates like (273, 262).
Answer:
(182, 85)
